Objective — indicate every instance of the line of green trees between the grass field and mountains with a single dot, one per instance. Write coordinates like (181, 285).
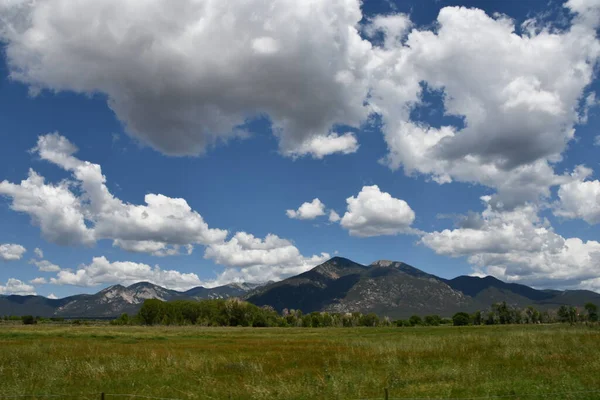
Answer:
(234, 312)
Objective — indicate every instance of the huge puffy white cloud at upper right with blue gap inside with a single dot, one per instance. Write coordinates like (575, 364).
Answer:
(518, 96)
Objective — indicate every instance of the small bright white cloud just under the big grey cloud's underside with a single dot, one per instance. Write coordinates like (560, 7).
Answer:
(324, 145)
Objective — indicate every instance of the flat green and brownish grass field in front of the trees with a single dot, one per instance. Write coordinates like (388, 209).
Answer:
(246, 363)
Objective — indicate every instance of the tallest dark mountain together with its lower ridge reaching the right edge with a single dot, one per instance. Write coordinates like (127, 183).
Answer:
(399, 290)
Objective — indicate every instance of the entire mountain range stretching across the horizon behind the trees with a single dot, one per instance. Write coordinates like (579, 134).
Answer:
(387, 288)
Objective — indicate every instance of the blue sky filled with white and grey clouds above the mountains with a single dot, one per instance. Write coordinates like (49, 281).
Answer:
(211, 142)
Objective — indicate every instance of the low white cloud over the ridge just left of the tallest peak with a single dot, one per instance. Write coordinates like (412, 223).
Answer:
(251, 259)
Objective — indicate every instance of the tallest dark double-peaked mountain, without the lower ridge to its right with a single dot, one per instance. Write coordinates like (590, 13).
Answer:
(386, 288)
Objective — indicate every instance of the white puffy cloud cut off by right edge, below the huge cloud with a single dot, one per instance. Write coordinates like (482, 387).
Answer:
(579, 198)
